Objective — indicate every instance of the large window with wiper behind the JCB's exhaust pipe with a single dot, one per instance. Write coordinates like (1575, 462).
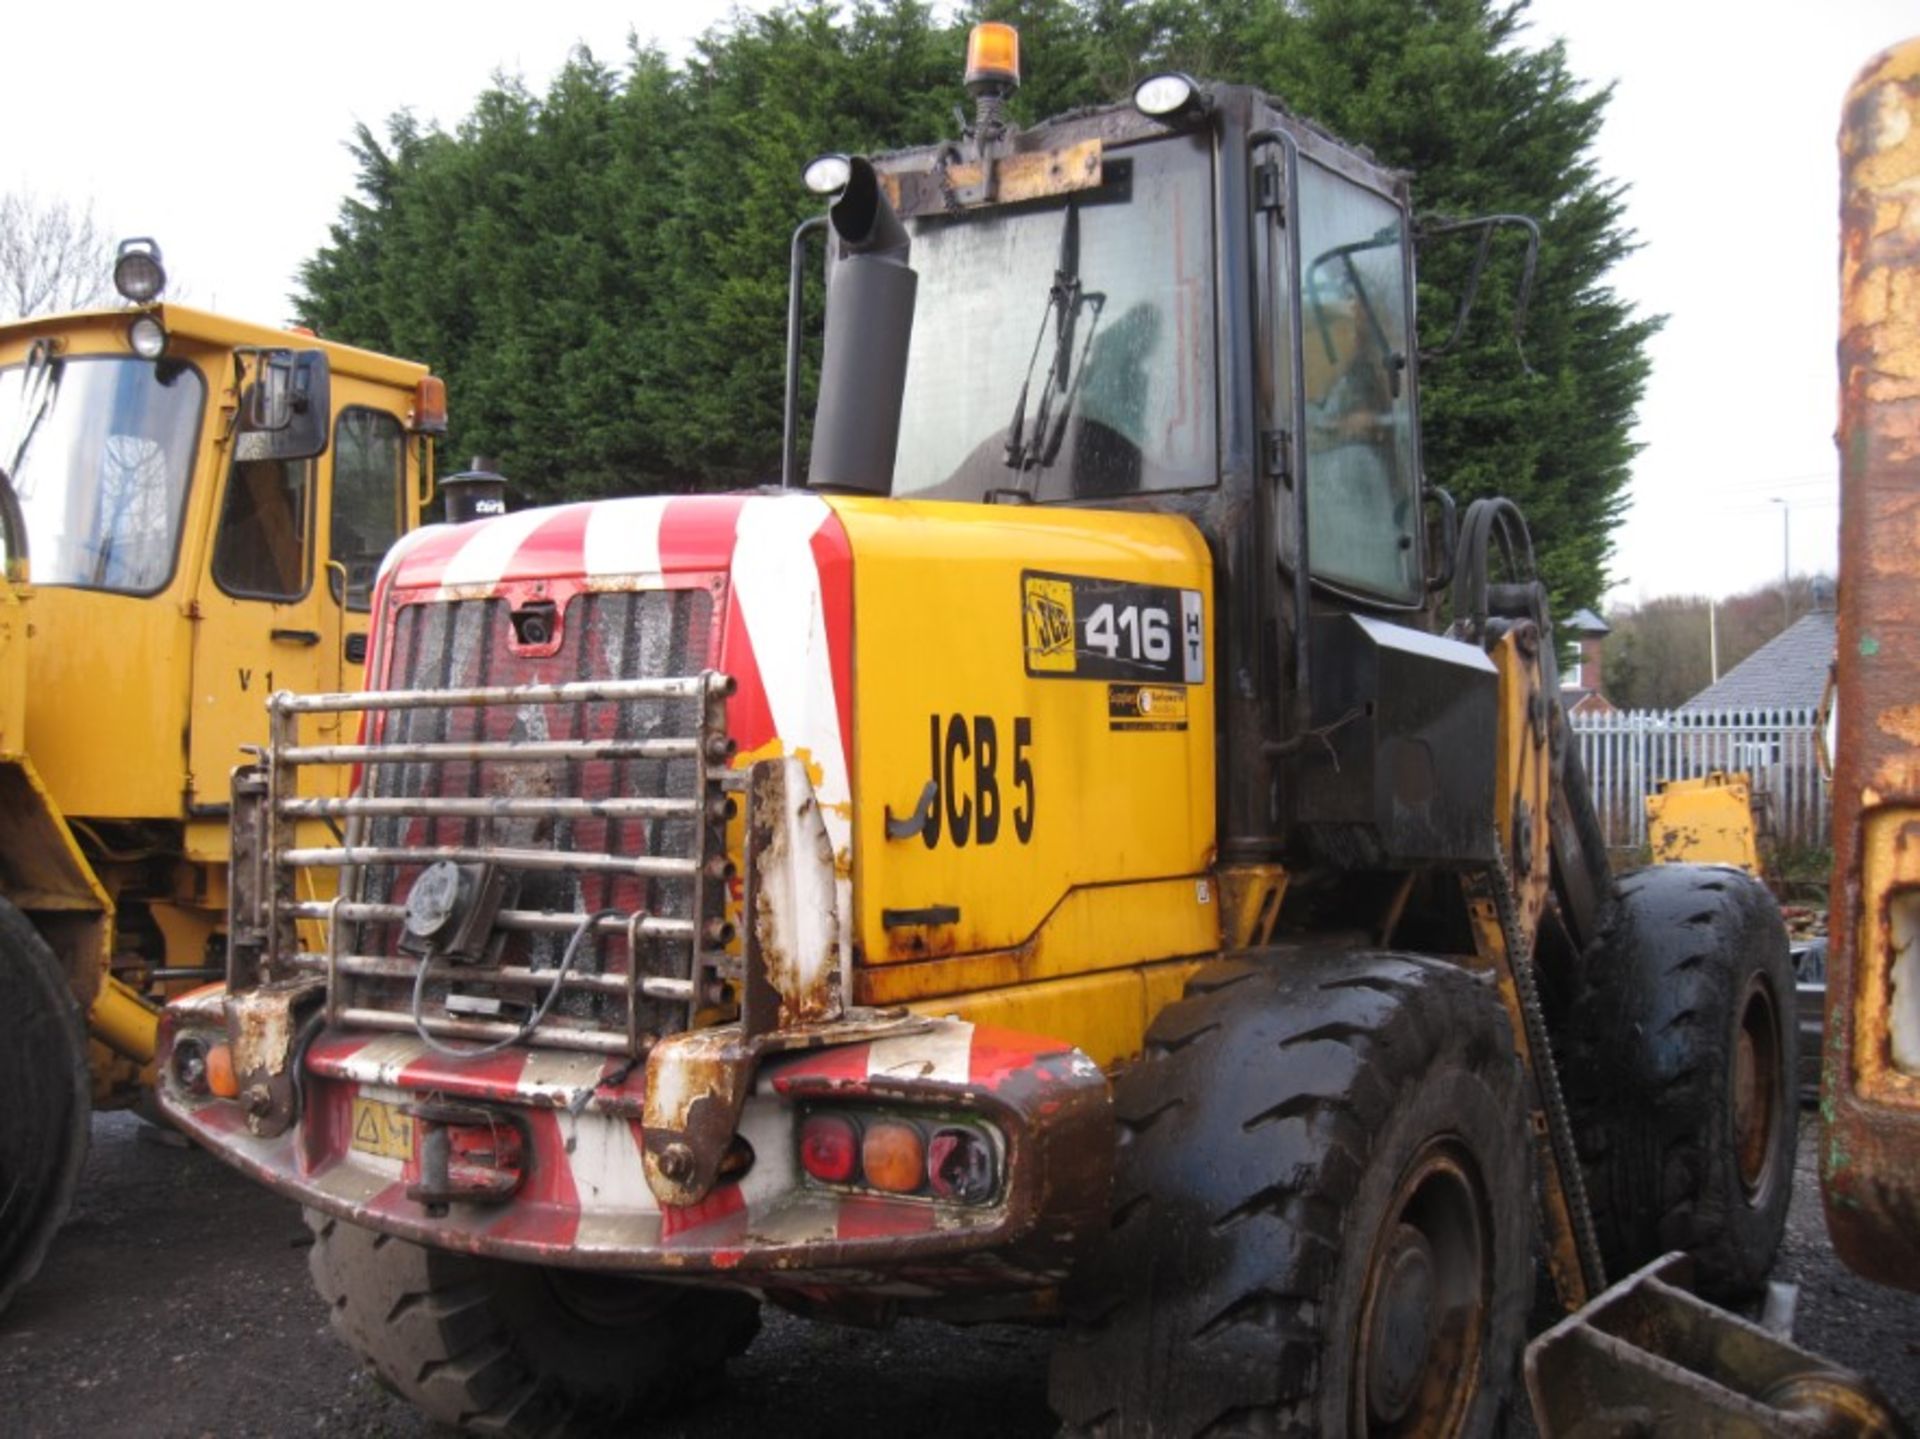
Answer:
(1067, 349)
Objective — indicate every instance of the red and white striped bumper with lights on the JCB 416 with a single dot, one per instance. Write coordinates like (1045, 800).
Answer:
(585, 1198)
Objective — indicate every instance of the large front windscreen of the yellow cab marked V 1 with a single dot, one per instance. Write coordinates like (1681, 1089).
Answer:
(101, 452)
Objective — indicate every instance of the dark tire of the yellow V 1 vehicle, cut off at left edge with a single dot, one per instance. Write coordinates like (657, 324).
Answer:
(47, 1111)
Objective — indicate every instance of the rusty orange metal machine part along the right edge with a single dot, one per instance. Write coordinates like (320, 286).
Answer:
(1871, 1102)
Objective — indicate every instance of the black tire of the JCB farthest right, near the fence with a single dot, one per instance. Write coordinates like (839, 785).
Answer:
(1681, 1075)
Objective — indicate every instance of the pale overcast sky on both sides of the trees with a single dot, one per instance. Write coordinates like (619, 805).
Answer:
(222, 134)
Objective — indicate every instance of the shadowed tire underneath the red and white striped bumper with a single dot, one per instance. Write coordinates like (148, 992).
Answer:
(517, 1350)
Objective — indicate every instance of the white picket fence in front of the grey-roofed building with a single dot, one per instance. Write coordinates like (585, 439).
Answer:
(1629, 754)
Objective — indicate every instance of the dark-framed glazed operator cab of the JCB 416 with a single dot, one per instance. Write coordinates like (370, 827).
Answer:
(1113, 310)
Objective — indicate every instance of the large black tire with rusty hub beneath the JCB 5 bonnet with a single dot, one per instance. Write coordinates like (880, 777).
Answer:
(1308, 1150)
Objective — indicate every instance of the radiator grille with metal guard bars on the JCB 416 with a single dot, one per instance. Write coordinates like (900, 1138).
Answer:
(585, 791)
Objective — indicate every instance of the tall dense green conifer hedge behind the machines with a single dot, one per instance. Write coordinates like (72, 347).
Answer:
(600, 272)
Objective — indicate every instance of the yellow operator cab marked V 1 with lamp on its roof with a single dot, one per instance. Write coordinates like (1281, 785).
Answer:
(210, 497)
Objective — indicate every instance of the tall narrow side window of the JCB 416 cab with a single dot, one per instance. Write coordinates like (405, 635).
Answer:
(1362, 493)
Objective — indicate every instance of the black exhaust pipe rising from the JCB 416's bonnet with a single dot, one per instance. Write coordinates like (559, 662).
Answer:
(871, 318)
